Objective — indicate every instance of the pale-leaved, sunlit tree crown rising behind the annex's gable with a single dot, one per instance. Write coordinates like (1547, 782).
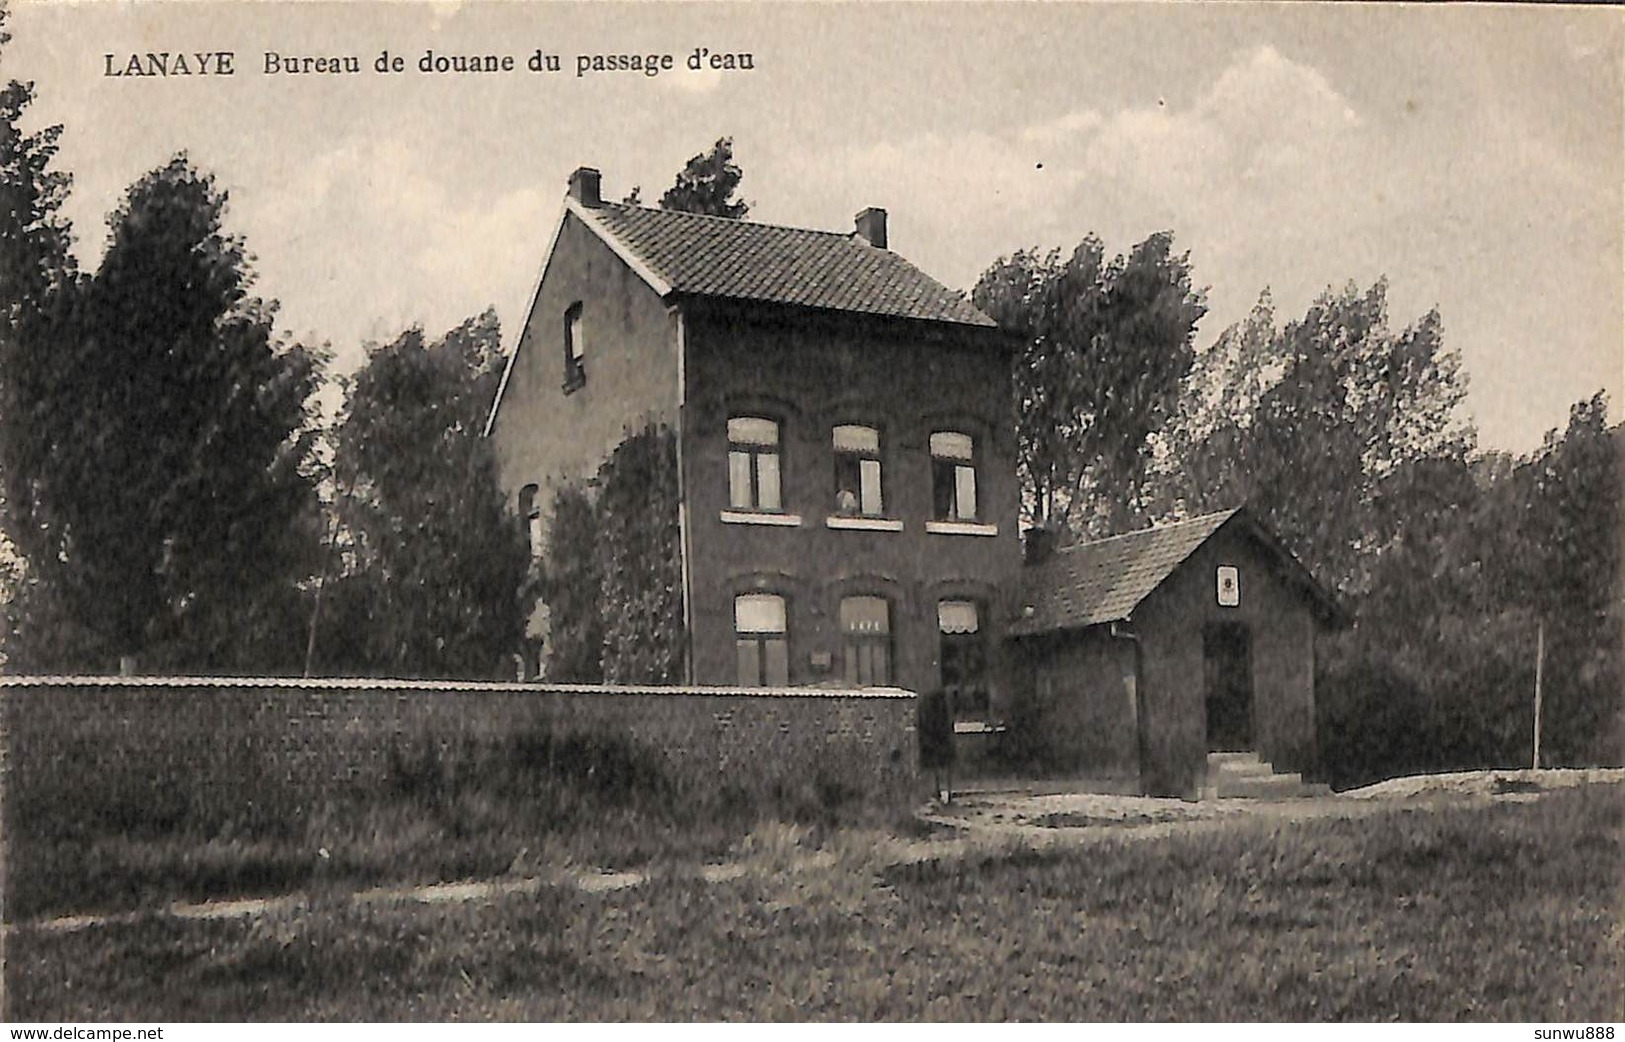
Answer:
(1319, 427)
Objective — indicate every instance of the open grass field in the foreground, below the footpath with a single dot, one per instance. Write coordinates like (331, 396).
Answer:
(1484, 913)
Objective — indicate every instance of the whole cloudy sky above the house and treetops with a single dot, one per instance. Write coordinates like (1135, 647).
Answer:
(1473, 155)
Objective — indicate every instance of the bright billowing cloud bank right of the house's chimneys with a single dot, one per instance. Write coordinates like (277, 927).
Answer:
(1268, 145)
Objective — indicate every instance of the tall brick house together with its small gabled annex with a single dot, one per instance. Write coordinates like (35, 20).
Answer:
(849, 500)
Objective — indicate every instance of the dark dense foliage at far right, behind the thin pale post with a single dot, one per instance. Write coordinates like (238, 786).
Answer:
(1514, 562)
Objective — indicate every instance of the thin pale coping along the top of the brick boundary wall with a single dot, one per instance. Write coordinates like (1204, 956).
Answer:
(347, 684)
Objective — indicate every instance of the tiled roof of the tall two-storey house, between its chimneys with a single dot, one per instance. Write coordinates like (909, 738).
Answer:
(724, 258)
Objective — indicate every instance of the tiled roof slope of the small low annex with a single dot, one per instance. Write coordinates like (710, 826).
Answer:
(1104, 581)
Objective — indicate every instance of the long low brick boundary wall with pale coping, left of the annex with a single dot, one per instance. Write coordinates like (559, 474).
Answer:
(199, 750)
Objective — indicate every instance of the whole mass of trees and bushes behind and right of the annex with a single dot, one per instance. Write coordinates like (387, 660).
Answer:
(1348, 440)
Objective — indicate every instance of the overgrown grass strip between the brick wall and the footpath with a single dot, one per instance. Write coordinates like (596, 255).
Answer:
(475, 812)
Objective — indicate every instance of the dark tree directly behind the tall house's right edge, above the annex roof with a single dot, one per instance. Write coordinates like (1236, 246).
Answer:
(1106, 355)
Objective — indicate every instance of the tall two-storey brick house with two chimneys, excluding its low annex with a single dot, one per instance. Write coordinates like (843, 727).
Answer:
(849, 503)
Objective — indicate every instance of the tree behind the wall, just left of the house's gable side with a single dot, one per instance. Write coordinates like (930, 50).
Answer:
(438, 560)
